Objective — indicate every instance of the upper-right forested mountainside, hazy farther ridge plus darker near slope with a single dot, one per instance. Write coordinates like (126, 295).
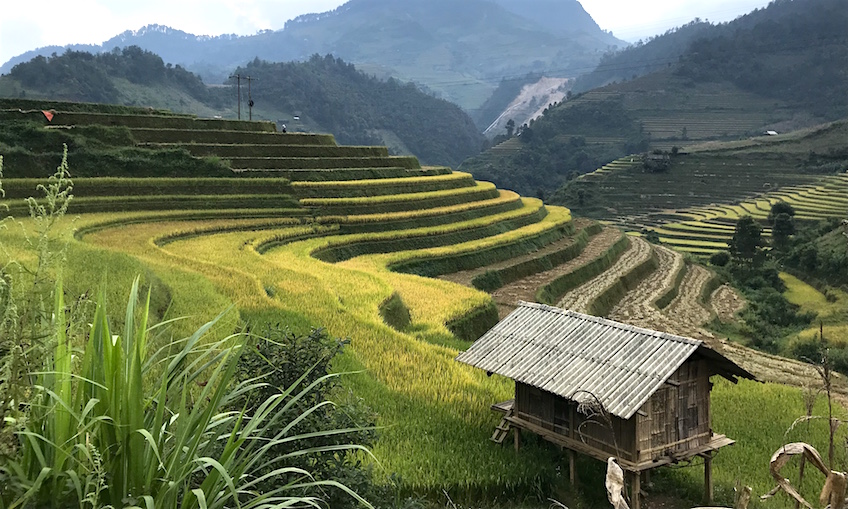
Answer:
(793, 50)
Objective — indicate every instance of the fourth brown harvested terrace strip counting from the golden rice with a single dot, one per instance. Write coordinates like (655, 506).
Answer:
(637, 306)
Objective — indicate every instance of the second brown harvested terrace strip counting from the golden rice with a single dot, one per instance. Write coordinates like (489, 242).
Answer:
(507, 297)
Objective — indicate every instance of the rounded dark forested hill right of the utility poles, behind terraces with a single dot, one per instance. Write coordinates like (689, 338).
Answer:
(358, 108)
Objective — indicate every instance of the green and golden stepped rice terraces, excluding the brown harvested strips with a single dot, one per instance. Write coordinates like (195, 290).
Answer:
(307, 233)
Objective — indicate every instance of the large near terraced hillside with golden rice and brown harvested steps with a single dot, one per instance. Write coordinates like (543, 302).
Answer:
(304, 233)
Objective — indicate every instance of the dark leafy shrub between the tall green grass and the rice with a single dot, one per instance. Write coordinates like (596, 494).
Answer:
(282, 360)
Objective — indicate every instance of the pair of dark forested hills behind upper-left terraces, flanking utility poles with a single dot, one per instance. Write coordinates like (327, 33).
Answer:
(327, 94)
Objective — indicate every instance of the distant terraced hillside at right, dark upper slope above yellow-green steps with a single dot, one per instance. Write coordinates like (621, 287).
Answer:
(695, 204)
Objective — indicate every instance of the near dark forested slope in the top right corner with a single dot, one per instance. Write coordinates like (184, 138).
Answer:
(795, 51)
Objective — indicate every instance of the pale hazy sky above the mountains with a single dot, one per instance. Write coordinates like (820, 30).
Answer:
(26, 25)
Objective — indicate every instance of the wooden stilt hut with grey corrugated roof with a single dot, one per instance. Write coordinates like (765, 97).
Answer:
(652, 389)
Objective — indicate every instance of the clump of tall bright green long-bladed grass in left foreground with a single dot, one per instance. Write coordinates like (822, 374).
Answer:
(93, 435)
